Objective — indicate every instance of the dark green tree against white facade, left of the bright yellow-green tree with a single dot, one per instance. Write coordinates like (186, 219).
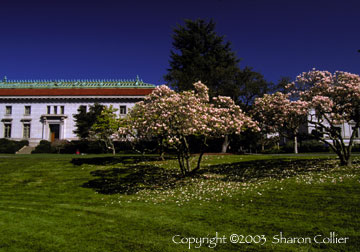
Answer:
(84, 120)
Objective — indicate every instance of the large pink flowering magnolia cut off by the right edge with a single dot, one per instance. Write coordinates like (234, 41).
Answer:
(333, 99)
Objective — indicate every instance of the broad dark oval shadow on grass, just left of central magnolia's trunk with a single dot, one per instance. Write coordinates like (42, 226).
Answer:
(132, 179)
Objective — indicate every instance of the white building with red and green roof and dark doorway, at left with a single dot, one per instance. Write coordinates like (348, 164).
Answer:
(38, 110)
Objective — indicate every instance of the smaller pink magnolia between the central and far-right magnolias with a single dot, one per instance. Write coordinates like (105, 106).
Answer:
(276, 113)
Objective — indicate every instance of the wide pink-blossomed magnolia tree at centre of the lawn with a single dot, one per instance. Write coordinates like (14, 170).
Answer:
(174, 117)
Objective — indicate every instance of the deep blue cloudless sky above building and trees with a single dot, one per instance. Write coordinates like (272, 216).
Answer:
(120, 39)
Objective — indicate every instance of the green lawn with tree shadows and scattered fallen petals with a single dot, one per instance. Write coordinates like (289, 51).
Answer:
(130, 203)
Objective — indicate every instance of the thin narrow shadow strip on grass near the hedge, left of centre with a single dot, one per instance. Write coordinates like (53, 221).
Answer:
(115, 160)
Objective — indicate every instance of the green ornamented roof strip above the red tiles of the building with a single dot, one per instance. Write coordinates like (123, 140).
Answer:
(112, 83)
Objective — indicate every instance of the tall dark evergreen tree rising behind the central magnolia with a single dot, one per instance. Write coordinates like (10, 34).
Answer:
(201, 55)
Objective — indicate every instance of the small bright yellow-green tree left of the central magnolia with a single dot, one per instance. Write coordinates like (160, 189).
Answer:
(106, 128)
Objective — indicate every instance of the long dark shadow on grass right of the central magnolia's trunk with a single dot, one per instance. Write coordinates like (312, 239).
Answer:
(275, 168)
